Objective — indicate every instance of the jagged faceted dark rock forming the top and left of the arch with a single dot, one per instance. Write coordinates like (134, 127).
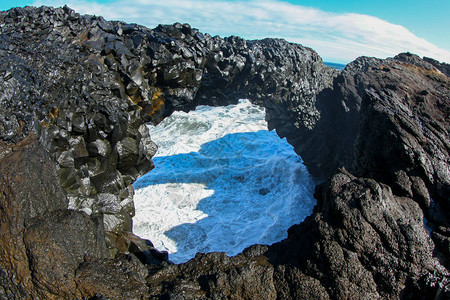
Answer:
(110, 77)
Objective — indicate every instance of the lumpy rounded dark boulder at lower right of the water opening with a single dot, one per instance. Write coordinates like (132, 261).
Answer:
(362, 240)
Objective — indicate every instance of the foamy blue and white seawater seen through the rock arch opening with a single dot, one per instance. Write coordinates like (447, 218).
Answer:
(221, 182)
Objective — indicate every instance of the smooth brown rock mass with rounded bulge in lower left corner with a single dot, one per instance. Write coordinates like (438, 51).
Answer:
(42, 243)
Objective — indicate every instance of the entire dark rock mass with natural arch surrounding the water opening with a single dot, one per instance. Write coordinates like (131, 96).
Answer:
(76, 92)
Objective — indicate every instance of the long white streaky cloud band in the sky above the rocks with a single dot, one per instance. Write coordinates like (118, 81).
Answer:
(336, 37)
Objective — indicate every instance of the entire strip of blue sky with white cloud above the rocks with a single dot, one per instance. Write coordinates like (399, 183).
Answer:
(339, 31)
